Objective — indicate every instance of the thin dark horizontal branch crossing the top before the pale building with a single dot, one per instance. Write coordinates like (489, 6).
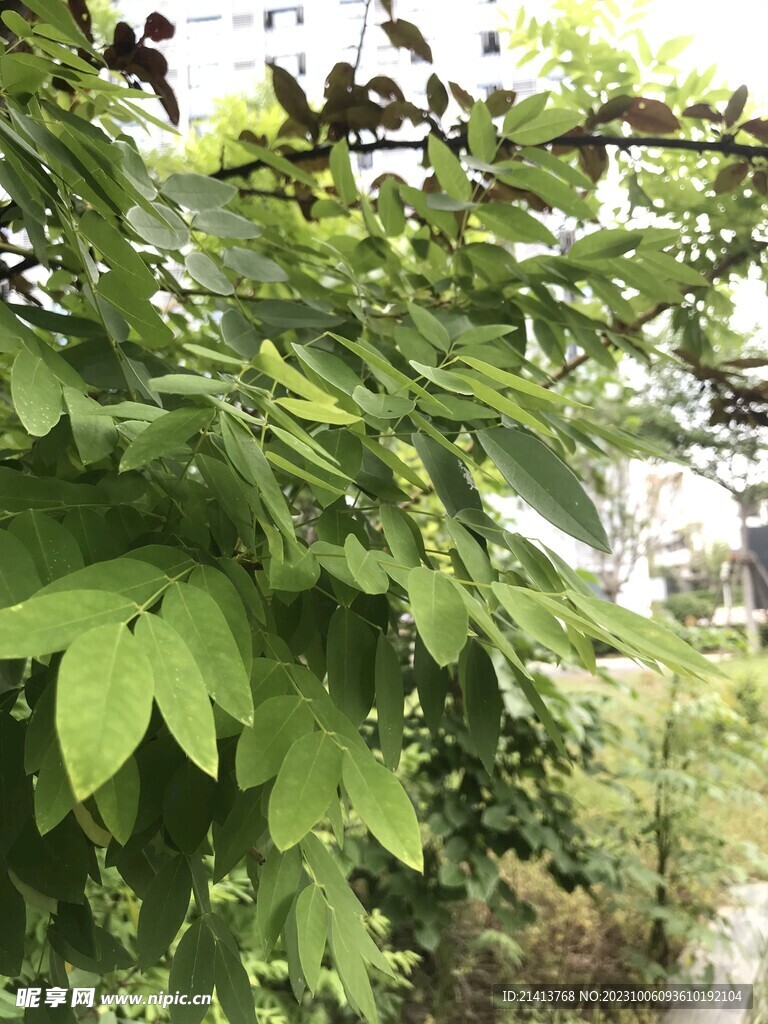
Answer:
(724, 146)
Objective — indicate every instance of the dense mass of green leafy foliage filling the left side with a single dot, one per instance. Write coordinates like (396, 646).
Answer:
(222, 468)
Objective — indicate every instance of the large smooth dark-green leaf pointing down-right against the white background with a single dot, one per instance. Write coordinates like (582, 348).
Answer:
(545, 483)
